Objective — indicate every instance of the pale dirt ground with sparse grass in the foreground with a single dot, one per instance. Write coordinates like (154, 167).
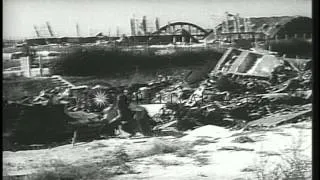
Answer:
(209, 152)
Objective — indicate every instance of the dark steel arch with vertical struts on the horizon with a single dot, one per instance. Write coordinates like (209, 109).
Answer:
(193, 29)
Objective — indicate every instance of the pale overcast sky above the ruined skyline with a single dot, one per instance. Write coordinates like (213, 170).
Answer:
(94, 16)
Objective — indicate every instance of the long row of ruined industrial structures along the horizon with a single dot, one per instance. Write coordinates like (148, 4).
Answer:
(233, 28)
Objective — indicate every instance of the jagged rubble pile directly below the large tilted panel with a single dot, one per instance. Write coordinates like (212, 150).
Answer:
(234, 99)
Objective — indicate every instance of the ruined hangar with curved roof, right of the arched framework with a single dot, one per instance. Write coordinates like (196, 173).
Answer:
(263, 28)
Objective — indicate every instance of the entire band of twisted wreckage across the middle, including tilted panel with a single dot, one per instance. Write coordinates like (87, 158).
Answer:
(245, 89)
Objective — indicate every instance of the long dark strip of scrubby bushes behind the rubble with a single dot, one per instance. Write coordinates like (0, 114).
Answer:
(102, 62)
